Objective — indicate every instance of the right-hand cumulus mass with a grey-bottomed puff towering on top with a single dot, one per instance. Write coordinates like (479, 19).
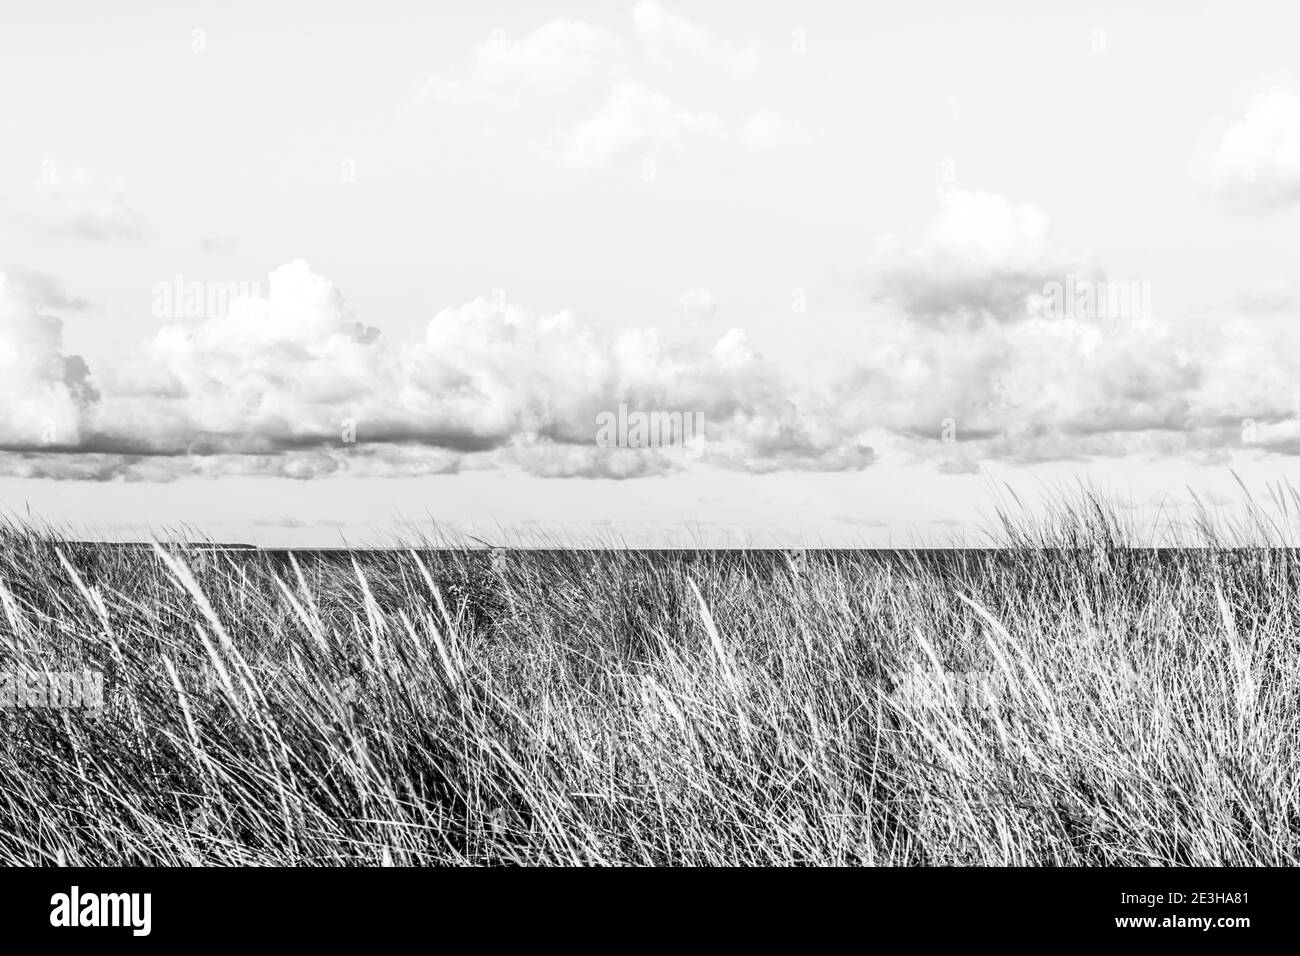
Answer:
(972, 366)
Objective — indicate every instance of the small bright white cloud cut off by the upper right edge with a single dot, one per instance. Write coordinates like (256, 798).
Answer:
(1255, 161)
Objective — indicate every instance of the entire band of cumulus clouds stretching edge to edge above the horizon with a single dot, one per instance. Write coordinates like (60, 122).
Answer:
(964, 366)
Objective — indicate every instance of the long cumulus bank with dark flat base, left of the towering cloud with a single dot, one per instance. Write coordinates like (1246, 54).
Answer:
(292, 384)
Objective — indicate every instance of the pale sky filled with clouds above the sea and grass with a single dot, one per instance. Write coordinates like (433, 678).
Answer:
(311, 274)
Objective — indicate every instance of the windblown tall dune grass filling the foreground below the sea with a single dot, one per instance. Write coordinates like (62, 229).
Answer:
(1064, 700)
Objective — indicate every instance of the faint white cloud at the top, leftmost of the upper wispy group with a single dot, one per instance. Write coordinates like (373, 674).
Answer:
(553, 60)
